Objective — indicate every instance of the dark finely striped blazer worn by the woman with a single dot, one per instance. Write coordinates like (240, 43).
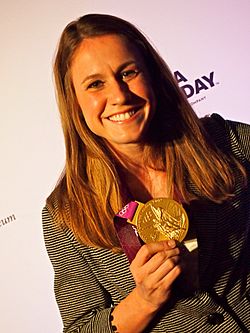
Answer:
(89, 281)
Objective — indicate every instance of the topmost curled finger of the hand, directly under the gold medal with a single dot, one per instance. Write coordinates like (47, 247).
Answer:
(150, 249)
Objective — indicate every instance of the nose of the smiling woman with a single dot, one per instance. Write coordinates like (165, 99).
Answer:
(119, 93)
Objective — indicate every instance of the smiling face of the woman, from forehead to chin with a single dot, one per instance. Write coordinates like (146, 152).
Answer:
(113, 89)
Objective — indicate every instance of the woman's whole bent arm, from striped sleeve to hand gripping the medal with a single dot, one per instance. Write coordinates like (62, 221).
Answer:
(85, 306)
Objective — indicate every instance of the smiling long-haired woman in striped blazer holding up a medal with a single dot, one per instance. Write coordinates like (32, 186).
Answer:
(130, 134)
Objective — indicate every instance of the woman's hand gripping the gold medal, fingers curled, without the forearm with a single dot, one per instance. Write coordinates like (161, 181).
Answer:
(155, 268)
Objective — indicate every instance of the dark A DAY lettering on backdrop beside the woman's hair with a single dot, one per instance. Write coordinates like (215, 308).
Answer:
(196, 87)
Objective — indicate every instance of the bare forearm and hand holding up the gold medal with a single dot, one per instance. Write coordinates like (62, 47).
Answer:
(155, 268)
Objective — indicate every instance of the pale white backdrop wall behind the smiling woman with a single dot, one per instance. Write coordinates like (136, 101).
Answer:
(195, 37)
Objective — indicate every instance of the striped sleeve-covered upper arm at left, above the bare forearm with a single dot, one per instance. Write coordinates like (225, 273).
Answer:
(83, 303)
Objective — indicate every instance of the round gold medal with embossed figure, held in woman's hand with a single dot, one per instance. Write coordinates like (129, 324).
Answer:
(161, 219)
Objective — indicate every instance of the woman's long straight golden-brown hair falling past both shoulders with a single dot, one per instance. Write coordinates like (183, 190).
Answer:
(90, 190)
